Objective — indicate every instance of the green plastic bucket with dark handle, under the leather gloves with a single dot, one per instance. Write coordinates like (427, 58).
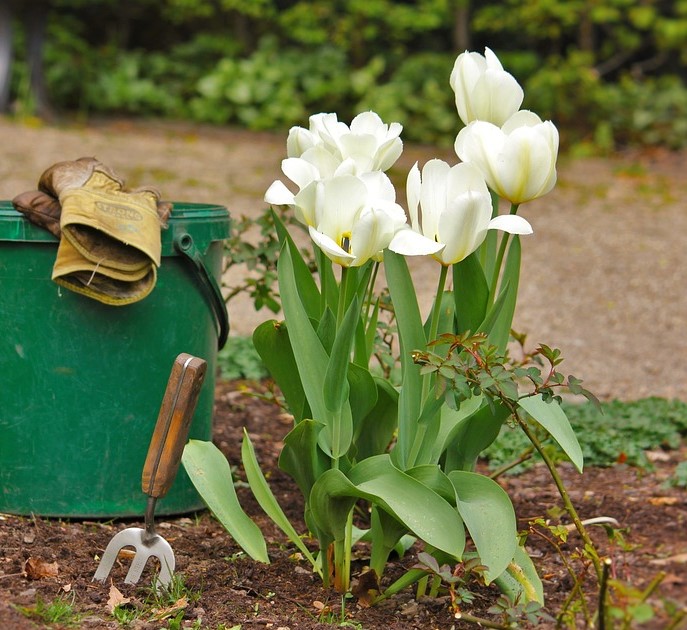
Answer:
(82, 382)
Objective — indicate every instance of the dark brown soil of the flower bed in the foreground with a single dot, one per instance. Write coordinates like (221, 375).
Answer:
(235, 590)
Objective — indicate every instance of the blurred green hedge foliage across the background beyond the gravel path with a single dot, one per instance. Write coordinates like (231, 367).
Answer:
(610, 72)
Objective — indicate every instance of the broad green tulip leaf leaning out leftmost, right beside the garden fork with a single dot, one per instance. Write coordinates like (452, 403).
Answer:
(210, 473)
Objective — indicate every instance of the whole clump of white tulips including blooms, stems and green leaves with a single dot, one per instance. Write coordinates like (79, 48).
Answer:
(357, 436)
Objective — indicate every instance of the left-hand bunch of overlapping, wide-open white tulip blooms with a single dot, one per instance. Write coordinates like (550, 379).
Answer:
(344, 197)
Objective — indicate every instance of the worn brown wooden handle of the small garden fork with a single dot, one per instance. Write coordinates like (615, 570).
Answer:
(173, 422)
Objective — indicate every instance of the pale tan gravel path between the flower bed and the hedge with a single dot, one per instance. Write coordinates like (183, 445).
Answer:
(604, 275)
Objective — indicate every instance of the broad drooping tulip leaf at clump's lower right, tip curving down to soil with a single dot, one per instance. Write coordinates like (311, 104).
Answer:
(489, 516)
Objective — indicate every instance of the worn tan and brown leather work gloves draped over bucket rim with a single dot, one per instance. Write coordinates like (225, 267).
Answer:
(110, 238)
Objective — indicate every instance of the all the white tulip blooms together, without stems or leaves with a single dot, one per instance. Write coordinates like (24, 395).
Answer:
(349, 204)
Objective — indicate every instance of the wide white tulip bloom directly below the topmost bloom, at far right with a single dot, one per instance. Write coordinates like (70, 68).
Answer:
(518, 160)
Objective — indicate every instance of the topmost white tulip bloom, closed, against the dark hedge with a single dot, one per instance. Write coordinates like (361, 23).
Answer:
(483, 89)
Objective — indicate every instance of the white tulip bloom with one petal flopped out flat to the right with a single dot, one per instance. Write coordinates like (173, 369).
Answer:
(451, 205)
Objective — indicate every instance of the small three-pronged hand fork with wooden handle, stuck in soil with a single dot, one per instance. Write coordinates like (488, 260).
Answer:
(159, 471)
